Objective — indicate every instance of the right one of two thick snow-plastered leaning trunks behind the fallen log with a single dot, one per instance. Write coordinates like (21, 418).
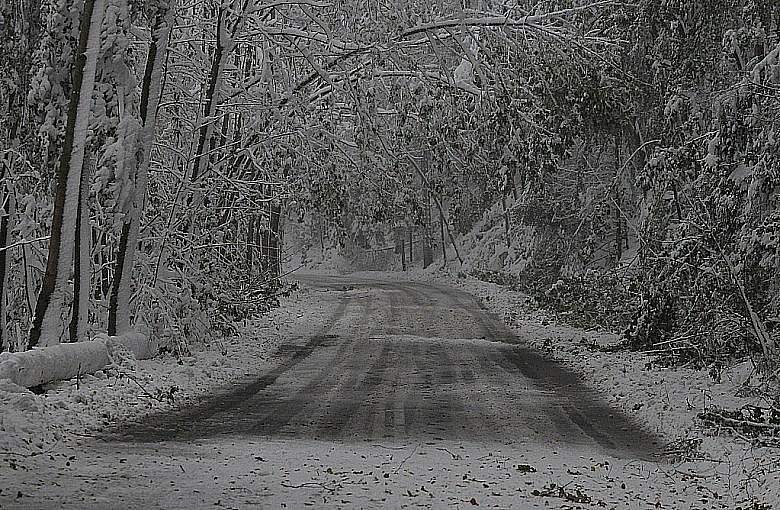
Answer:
(119, 300)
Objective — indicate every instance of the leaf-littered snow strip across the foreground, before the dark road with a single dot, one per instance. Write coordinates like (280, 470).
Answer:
(387, 474)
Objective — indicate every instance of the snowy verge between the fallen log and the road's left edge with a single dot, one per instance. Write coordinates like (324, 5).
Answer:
(129, 388)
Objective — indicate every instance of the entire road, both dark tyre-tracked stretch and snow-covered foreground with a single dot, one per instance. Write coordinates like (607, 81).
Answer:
(392, 395)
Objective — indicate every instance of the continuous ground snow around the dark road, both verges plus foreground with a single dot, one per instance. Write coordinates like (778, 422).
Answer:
(45, 463)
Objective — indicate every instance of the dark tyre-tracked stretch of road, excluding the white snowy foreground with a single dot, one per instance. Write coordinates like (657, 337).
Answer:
(406, 360)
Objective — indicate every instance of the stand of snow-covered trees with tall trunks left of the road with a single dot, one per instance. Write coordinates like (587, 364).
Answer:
(166, 251)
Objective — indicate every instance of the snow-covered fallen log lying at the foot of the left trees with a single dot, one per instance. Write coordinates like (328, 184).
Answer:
(65, 361)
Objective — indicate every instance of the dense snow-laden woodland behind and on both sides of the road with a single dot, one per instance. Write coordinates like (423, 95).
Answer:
(626, 153)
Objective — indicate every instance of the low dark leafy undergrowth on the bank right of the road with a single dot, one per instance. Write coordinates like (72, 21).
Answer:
(679, 328)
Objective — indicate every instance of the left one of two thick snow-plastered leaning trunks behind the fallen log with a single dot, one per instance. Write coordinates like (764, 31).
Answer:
(49, 322)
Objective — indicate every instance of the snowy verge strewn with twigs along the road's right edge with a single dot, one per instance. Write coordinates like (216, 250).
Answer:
(666, 400)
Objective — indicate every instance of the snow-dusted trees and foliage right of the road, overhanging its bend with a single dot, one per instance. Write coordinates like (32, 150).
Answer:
(626, 172)
